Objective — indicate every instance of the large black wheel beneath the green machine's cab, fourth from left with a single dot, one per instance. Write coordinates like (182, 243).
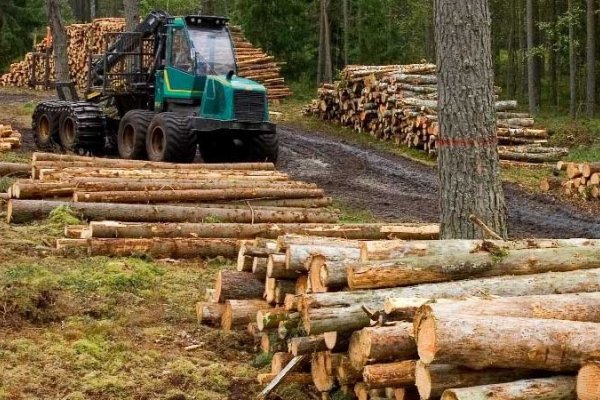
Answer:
(170, 138)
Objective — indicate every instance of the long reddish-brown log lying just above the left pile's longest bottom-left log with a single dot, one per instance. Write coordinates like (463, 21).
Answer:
(198, 195)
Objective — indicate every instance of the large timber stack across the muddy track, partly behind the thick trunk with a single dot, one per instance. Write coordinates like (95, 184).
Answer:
(398, 103)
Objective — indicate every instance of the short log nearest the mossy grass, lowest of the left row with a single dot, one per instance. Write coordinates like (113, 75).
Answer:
(160, 247)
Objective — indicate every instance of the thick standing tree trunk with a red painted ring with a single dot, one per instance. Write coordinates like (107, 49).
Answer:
(468, 159)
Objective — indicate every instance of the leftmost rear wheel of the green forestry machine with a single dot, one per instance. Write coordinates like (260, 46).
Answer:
(45, 123)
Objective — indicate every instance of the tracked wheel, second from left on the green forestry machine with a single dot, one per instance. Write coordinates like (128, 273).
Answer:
(81, 126)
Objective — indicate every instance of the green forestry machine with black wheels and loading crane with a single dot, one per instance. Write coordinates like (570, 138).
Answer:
(161, 92)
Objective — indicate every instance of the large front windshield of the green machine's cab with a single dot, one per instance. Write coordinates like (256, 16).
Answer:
(214, 54)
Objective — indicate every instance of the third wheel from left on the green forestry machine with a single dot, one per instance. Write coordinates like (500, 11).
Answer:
(131, 139)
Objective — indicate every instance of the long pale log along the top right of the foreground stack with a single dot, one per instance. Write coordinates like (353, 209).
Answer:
(428, 269)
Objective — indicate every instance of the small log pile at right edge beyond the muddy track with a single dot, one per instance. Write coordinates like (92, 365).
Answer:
(581, 180)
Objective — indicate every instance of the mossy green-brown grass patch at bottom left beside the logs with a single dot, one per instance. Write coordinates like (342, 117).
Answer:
(112, 328)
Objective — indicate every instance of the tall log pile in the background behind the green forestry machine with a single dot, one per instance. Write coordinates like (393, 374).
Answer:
(85, 40)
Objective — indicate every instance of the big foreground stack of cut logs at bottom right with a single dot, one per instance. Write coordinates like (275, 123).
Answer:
(417, 317)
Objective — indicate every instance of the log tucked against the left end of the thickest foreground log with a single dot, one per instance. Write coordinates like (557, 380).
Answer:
(382, 344)
